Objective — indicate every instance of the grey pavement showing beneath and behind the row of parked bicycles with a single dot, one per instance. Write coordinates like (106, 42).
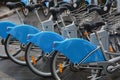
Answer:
(12, 71)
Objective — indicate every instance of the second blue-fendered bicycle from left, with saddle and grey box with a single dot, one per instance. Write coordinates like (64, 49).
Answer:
(13, 54)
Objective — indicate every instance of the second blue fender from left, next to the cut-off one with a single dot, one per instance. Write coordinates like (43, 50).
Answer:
(20, 32)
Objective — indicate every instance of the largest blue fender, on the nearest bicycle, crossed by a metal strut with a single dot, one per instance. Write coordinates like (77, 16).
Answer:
(76, 49)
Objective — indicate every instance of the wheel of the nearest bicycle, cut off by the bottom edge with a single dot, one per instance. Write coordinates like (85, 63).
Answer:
(62, 69)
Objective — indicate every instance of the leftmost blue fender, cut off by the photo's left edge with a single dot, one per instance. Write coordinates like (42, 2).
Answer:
(3, 28)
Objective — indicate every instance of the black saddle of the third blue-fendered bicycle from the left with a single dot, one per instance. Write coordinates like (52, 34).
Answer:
(56, 11)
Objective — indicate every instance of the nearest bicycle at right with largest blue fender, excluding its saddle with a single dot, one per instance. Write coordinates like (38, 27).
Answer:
(88, 57)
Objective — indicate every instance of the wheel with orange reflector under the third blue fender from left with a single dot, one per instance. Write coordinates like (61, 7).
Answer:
(36, 61)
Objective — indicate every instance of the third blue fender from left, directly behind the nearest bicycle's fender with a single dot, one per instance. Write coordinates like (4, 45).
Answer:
(44, 40)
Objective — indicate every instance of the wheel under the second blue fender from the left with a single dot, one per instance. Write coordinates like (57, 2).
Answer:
(14, 50)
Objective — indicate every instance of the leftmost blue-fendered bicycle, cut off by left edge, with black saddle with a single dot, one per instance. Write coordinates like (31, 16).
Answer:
(5, 24)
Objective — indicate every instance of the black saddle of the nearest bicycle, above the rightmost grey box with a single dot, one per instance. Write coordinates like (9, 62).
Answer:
(89, 26)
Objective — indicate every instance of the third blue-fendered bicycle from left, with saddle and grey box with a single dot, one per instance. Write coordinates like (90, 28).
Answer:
(39, 49)
